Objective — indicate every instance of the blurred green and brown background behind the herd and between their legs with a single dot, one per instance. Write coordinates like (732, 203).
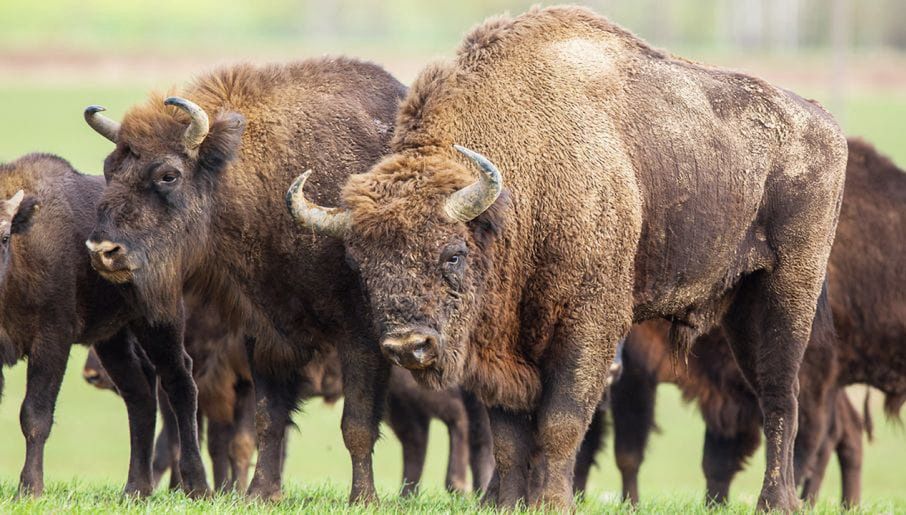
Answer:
(56, 57)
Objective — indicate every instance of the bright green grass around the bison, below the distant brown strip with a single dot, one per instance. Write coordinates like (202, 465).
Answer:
(87, 453)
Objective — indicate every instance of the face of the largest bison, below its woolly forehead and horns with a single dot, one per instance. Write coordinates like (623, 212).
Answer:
(424, 290)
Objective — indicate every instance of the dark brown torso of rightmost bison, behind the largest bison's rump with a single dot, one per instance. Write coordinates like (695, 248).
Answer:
(866, 276)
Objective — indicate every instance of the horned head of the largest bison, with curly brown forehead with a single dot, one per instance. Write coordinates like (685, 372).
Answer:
(421, 238)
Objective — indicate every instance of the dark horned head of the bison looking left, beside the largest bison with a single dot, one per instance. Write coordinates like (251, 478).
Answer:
(152, 221)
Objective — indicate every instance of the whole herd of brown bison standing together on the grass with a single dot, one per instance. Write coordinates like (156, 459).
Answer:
(481, 248)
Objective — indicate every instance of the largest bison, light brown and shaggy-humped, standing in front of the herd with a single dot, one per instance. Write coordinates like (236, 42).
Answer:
(617, 184)
